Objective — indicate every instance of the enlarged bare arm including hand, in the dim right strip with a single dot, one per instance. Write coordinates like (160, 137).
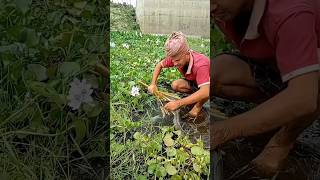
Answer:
(298, 100)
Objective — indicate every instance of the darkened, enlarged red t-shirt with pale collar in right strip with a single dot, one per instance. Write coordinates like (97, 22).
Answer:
(286, 32)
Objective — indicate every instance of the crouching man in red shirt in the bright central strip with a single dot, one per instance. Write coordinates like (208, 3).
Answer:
(195, 68)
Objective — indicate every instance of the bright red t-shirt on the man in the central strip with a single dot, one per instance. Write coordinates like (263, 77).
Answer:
(198, 68)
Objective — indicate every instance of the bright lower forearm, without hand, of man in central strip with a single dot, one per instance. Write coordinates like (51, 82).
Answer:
(197, 96)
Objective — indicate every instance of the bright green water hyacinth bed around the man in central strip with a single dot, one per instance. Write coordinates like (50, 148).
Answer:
(139, 149)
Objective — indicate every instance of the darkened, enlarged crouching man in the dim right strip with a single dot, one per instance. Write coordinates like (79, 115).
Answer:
(277, 67)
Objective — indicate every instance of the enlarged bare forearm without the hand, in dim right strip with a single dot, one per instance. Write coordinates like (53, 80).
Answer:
(292, 104)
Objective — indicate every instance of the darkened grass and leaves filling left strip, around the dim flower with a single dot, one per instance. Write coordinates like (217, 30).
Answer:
(45, 45)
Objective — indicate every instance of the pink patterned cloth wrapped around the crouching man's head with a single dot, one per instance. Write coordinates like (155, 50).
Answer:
(176, 44)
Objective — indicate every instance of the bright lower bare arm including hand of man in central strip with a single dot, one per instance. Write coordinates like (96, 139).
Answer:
(197, 96)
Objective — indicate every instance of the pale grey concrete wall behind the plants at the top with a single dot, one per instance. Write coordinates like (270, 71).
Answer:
(165, 16)
